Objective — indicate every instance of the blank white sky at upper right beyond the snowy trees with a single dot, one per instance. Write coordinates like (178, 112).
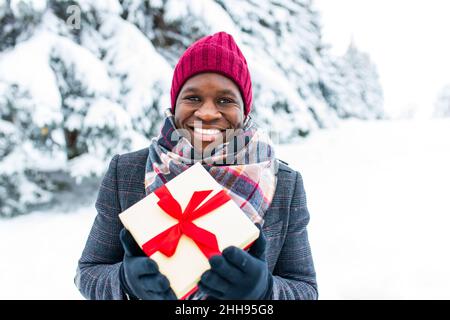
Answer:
(409, 41)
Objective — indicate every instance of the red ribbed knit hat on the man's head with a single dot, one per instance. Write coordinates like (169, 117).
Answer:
(214, 53)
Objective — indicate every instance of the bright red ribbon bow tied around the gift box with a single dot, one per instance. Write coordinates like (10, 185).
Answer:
(167, 241)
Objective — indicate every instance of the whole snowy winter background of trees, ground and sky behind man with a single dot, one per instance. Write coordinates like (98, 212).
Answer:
(355, 93)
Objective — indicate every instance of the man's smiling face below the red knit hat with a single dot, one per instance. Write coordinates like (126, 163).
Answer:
(209, 104)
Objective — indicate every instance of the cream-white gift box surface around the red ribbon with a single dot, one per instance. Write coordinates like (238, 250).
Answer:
(145, 220)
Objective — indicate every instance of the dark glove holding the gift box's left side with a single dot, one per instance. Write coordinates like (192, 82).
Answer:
(139, 275)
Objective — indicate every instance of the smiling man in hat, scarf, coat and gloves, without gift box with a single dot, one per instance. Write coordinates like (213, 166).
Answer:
(209, 121)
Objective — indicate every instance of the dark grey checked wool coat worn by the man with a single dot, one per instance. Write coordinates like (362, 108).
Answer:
(288, 251)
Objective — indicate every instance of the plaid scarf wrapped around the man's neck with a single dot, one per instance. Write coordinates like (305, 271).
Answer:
(245, 165)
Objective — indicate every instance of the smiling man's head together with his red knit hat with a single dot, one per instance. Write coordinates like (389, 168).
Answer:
(211, 92)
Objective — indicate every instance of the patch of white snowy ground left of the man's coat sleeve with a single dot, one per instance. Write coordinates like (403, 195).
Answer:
(42, 262)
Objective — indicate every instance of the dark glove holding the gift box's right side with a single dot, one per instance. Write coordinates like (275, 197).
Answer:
(237, 274)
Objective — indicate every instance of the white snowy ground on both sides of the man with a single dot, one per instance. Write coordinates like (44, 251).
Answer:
(378, 198)
